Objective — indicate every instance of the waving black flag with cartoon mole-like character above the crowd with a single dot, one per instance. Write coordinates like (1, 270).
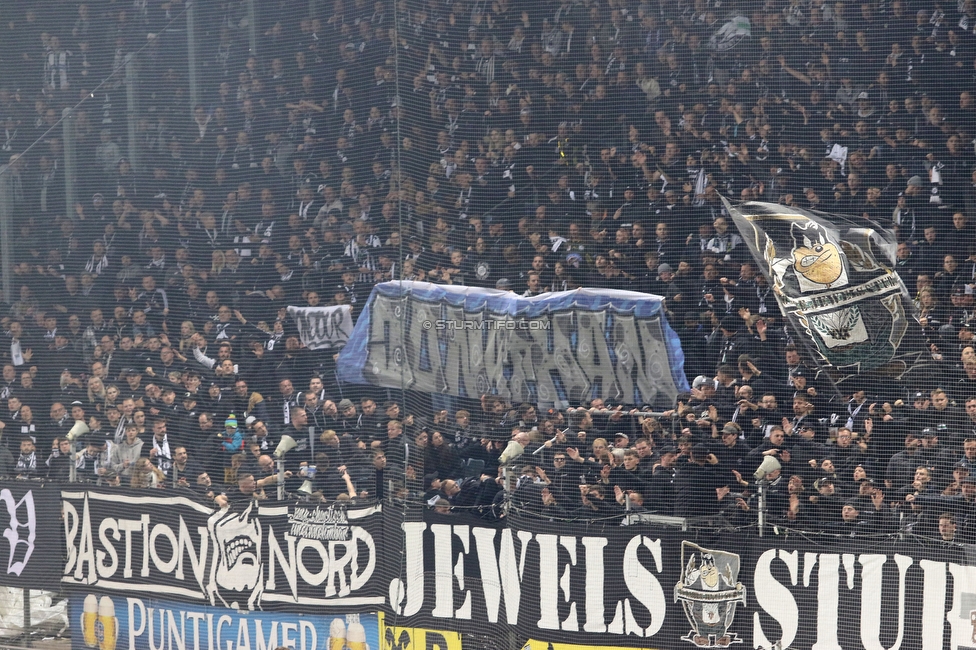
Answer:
(834, 280)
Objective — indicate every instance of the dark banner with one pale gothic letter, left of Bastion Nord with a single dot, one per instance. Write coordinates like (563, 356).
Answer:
(29, 523)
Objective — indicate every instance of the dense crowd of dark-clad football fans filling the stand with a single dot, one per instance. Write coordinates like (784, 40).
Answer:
(527, 147)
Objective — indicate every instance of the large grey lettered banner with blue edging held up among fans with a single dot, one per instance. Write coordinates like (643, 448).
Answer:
(551, 349)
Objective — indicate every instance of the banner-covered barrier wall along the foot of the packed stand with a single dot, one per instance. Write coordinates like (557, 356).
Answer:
(161, 570)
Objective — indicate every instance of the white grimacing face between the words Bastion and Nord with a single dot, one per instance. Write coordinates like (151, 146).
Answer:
(237, 569)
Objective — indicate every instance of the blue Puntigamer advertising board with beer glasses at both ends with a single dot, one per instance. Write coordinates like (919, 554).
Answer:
(141, 622)
